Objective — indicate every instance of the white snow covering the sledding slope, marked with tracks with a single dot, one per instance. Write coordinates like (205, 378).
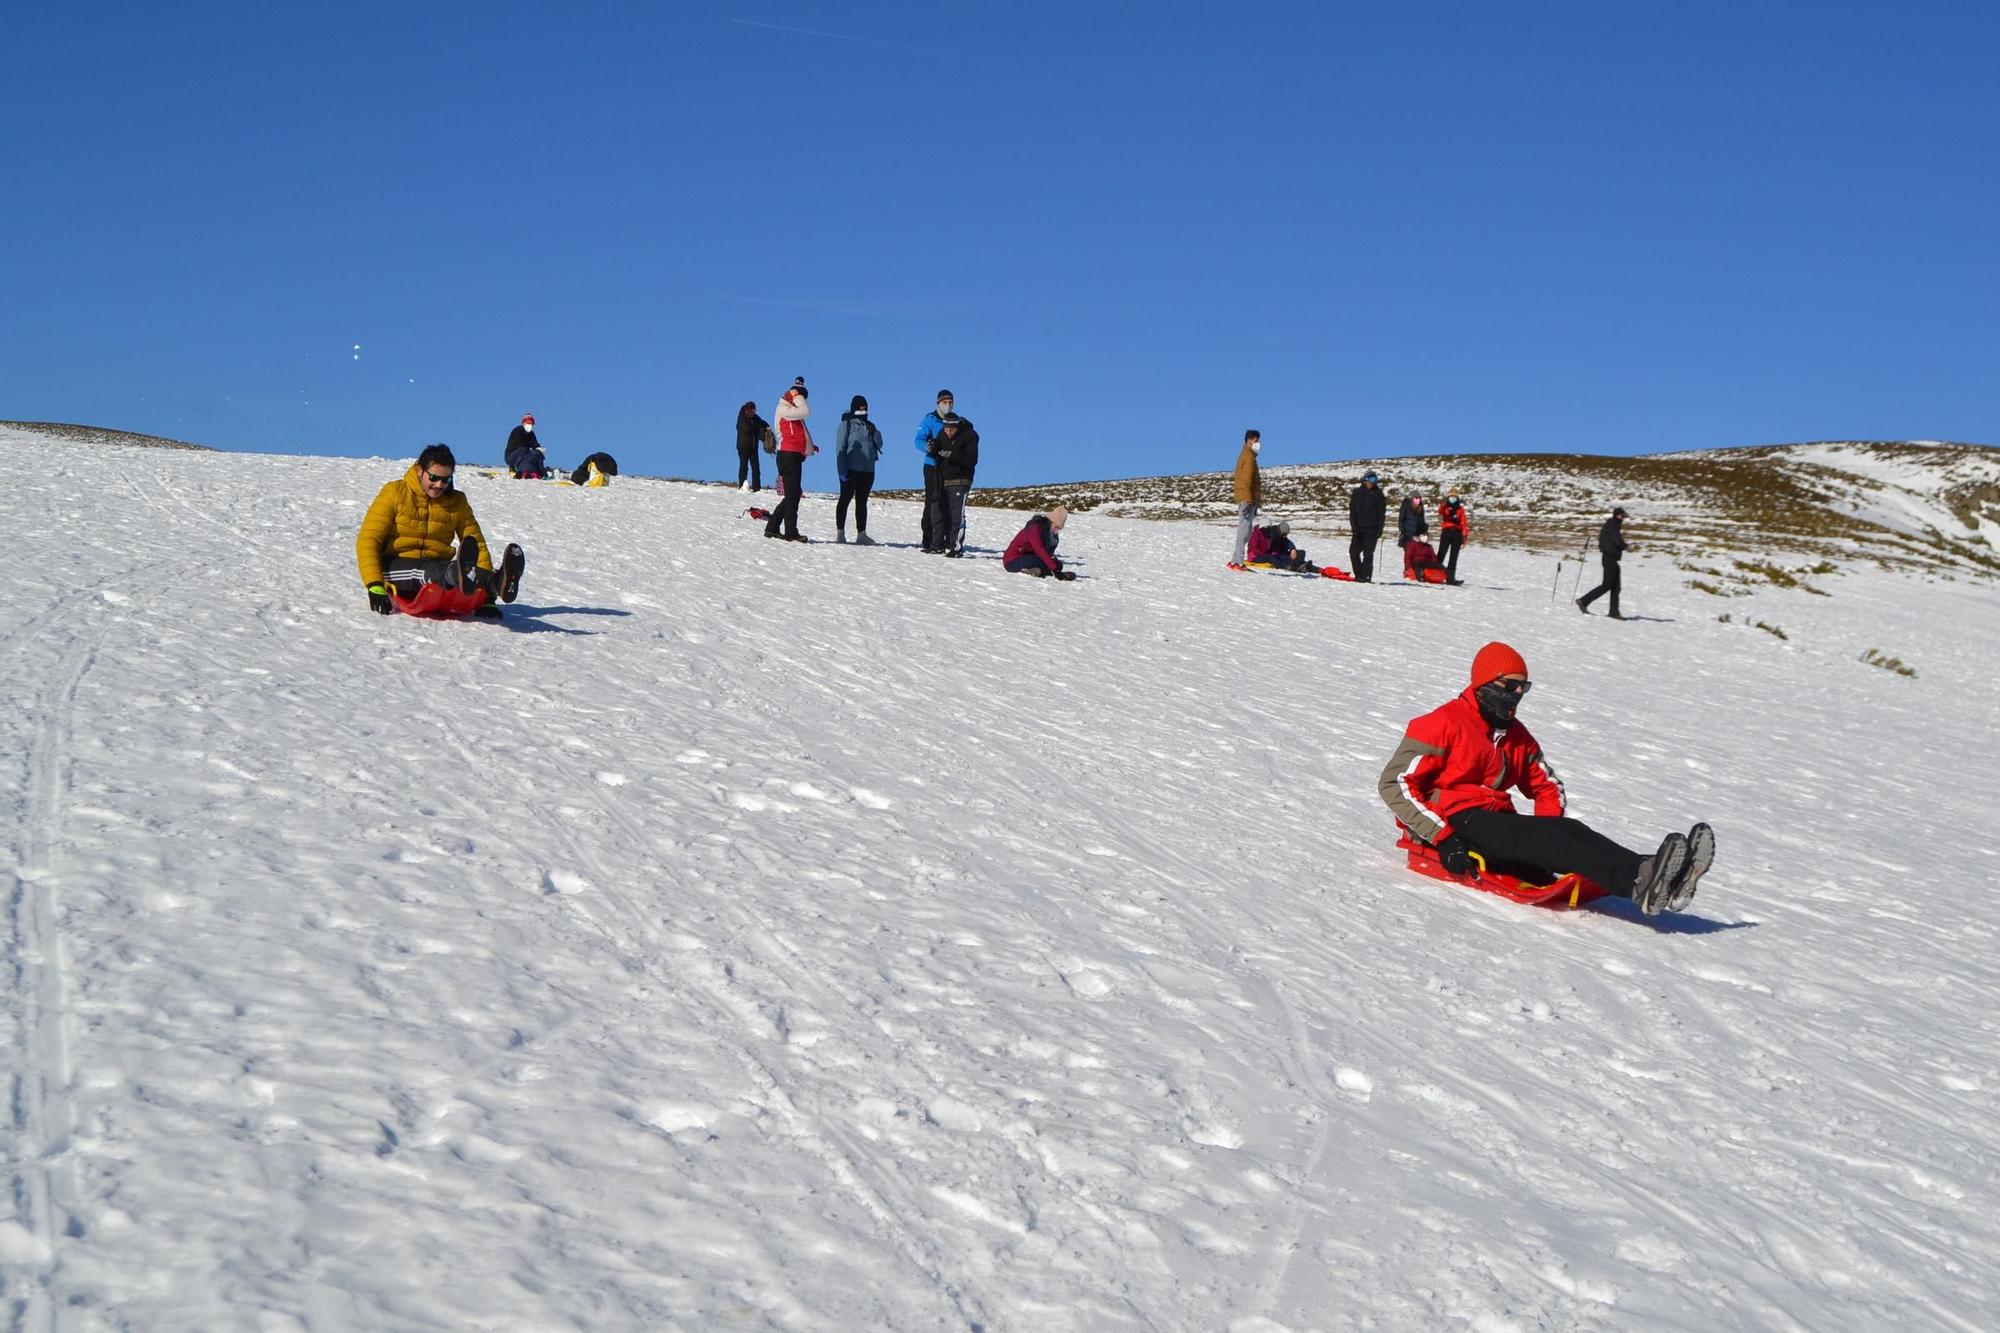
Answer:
(829, 938)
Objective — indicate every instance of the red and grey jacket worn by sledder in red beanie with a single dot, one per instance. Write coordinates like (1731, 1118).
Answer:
(1453, 762)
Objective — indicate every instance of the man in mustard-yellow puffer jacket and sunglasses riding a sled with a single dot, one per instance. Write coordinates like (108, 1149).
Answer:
(407, 539)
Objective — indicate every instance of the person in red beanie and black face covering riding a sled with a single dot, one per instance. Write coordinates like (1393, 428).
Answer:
(1449, 786)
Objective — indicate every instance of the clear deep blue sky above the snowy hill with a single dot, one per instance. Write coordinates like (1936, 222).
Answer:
(1121, 233)
